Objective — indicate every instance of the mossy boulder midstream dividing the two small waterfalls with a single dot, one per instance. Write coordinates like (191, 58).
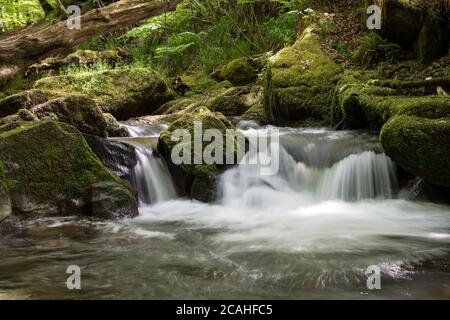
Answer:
(197, 179)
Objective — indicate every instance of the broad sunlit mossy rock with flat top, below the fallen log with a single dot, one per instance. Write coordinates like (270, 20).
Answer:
(125, 93)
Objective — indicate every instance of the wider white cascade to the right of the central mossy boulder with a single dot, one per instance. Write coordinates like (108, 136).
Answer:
(365, 175)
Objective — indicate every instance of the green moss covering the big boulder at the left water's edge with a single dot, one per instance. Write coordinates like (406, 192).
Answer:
(49, 161)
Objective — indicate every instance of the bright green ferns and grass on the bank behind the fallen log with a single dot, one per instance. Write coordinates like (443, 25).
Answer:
(209, 33)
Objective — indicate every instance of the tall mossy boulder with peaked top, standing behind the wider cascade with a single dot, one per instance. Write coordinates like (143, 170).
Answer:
(300, 82)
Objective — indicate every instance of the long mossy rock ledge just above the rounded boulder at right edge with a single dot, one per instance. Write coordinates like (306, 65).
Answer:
(363, 103)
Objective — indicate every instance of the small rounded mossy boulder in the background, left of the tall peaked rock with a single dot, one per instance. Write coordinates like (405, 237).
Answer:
(240, 71)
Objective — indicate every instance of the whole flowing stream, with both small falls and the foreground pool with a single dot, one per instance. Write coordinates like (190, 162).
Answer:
(309, 231)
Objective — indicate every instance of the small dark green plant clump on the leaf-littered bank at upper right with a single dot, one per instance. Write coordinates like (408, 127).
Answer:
(374, 49)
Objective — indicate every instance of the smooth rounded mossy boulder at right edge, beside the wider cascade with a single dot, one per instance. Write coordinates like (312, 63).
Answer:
(420, 145)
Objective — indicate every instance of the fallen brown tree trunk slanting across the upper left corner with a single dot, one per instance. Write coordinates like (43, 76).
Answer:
(36, 42)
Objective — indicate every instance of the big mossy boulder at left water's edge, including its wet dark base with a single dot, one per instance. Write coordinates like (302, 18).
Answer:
(48, 169)
